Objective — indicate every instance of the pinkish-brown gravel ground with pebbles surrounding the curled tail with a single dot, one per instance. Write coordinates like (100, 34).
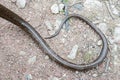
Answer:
(21, 58)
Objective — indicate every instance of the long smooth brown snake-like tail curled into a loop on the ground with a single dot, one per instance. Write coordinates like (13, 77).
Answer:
(7, 14)
